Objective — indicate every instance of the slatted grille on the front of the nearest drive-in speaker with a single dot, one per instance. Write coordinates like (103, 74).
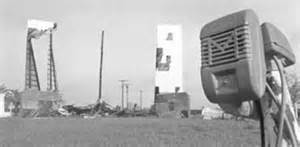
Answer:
(226, 47)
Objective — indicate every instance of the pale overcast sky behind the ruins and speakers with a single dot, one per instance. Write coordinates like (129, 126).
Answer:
(130, 41)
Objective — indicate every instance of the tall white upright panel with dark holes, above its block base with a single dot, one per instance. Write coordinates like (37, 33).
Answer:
(169, 72)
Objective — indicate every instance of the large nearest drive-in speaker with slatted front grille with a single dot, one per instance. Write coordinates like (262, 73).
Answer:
(233, 62)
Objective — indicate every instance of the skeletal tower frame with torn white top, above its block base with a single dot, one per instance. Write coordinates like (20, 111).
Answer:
(35, 30)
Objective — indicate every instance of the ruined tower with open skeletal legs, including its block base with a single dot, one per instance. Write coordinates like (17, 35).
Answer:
(35, 102)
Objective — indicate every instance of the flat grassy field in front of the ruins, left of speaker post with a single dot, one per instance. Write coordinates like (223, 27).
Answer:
(128, 132)
